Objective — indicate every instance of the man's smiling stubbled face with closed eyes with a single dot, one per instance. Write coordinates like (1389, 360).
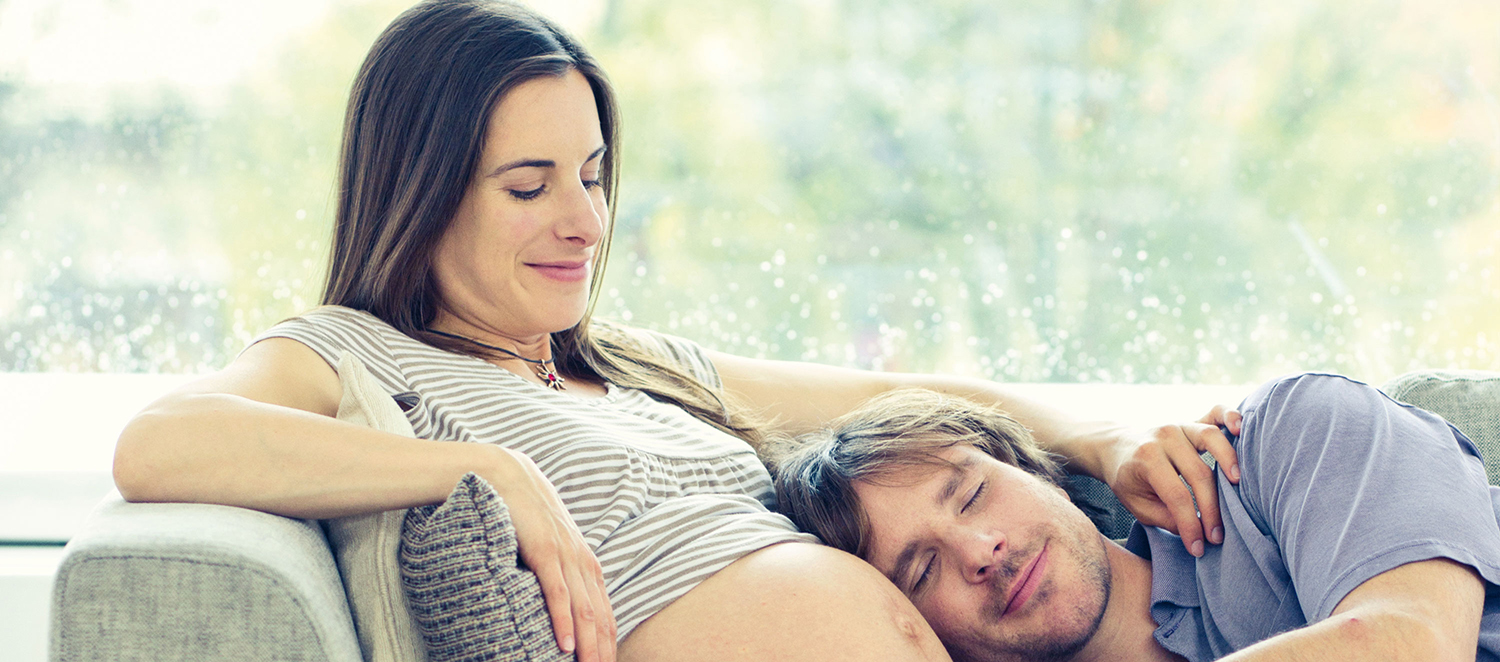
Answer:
(1000, 564)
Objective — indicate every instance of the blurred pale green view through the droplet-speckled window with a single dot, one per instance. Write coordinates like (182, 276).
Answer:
(1124, 191)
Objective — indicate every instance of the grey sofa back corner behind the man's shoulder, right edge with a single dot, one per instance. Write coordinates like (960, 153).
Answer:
(1471, 400)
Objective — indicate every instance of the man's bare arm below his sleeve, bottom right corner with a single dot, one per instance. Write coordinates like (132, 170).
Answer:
(1420, 612)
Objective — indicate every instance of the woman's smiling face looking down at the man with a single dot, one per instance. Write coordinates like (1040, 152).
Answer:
(518, 257)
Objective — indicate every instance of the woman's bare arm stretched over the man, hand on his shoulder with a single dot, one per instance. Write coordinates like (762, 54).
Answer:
(1145, 468)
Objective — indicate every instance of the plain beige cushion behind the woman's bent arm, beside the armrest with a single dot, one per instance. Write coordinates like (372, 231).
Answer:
(367, 546)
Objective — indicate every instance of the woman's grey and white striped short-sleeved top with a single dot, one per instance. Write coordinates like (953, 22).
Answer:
(662, 498)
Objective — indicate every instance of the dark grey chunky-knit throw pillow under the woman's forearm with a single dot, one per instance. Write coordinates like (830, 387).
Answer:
(472, 598)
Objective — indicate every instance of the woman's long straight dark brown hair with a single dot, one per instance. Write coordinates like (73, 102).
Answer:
(413, 139)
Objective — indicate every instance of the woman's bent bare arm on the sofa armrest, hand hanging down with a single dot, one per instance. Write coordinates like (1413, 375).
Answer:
(262, 435)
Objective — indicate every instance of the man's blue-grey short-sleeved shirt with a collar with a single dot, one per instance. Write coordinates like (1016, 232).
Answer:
(1339, 484)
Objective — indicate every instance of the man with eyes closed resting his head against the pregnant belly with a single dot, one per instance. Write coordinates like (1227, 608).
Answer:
(1361, 529)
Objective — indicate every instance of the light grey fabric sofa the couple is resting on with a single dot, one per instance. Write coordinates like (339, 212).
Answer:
(215, 583)
